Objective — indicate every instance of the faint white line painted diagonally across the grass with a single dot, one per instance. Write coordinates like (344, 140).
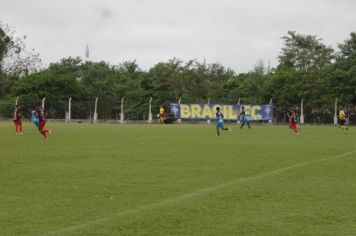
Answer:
(190, 195)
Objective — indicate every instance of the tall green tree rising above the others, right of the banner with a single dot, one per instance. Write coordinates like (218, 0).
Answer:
(302, 72)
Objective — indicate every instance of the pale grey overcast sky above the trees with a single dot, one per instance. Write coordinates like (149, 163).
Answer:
(236, 33)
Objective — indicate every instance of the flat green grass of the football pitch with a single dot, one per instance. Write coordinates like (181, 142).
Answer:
(177, 180)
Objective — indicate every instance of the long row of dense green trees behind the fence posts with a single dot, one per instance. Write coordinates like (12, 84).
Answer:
(307, 68)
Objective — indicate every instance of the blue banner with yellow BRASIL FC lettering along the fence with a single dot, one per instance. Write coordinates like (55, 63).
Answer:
(230, 112)
